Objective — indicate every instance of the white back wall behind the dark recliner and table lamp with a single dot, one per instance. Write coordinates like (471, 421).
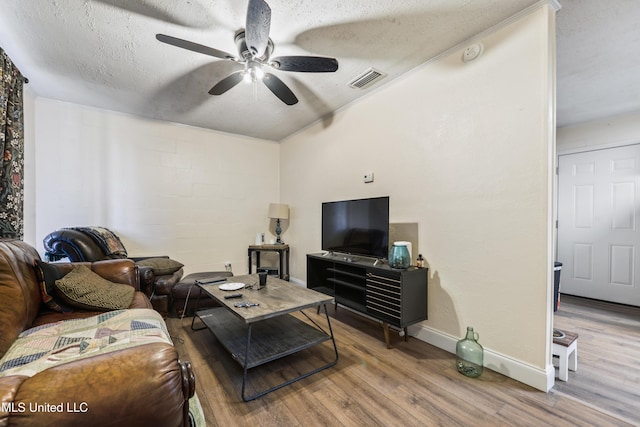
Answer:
(196, 195)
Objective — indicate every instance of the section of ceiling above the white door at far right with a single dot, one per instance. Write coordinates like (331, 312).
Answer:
(598, 59)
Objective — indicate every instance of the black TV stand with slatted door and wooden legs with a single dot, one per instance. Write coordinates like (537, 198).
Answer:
(394, 297)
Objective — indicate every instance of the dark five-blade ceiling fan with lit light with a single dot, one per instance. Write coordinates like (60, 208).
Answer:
(255, 48)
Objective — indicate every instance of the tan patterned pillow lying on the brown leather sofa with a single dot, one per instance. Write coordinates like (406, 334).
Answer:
(85, 289)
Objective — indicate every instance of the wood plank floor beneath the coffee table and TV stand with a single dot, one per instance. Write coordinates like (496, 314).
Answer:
(416, 384)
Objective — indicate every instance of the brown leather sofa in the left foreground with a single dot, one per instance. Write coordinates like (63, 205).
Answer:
(145, 385)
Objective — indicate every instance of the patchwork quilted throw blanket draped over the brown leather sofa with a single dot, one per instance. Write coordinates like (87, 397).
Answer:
(45, 346)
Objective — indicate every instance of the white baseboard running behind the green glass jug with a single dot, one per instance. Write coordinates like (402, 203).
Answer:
(541, 379)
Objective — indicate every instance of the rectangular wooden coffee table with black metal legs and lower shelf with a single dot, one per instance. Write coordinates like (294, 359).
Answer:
(262, 333)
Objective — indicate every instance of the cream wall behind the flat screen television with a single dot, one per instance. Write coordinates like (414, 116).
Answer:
(465, 150)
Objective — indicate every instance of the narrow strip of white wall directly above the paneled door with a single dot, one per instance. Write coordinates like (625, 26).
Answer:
(612, 131)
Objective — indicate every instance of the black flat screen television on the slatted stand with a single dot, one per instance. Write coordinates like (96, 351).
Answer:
(358, 227)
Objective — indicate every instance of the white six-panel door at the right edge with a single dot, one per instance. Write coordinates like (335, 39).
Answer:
(598, 236)
